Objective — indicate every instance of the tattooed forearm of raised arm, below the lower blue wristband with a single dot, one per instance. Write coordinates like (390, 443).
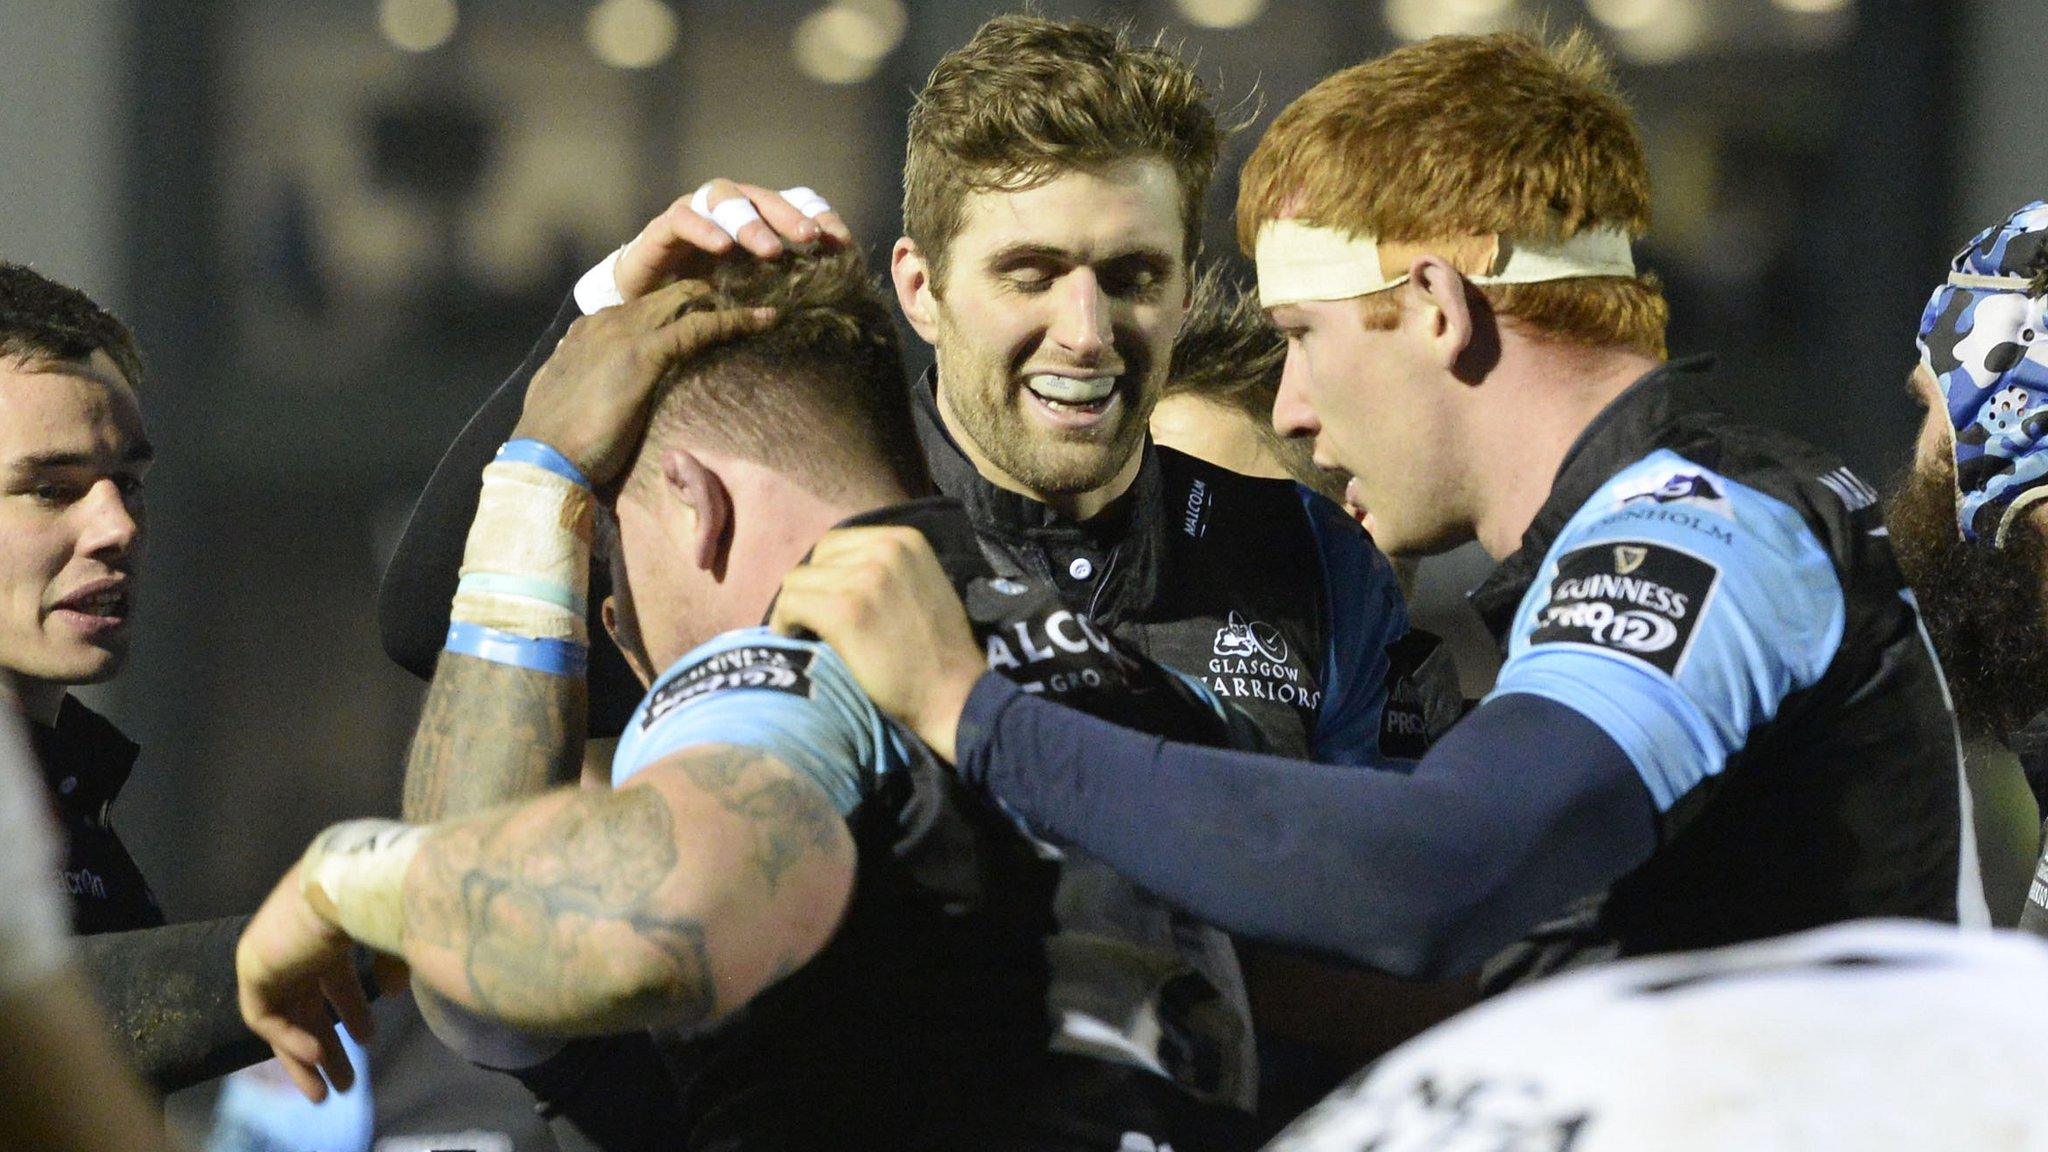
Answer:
(493, 733)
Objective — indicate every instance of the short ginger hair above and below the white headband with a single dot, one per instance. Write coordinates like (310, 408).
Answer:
(1469, 136)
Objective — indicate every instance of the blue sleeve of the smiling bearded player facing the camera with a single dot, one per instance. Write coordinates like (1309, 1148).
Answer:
(1367, 616)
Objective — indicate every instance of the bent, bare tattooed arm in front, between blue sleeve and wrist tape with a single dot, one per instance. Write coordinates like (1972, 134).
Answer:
(599, 911)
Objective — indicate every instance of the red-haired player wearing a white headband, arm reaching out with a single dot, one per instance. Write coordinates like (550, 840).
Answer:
(1717, 721)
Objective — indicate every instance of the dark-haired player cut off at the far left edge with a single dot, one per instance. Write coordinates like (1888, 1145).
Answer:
(73, 526)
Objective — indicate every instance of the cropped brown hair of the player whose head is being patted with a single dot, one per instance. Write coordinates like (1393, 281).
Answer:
(818, 397)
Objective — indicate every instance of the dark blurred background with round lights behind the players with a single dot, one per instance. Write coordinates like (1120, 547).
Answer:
(337, 224)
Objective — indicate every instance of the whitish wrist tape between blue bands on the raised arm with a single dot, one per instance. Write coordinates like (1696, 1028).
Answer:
(527, 563)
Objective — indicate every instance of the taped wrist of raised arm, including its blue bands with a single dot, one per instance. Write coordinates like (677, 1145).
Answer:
(527, 565)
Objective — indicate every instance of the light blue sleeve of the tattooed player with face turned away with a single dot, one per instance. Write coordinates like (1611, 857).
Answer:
(794, 700)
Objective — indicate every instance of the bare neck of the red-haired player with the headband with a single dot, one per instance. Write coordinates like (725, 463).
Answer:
(1551, 393)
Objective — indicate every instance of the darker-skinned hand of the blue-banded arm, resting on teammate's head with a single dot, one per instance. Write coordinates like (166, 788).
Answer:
(591, 401)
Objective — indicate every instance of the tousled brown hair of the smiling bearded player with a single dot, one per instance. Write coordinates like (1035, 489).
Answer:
(1031, 99)
